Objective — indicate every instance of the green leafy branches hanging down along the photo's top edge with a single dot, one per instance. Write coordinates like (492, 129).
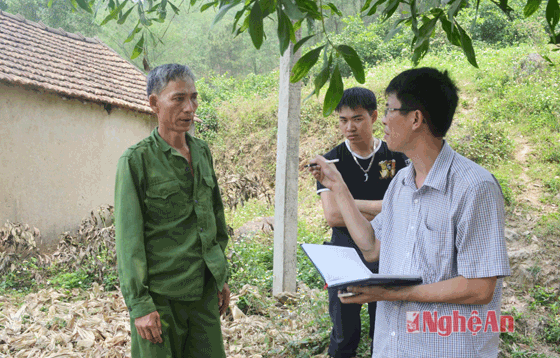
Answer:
(421, 17)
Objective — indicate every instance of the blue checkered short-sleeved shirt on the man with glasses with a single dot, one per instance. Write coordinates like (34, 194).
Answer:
(453, 225)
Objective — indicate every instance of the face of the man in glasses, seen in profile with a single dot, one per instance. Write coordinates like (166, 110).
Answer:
(396, 125)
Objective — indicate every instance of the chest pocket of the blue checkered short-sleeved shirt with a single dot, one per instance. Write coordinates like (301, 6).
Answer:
(435, 254)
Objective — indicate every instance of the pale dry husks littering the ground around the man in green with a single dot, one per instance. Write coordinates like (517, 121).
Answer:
(95, 323)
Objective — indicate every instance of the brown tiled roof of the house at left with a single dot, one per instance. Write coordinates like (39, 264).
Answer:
(71, 65)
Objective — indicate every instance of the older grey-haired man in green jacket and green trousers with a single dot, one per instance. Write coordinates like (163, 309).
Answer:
(170, 230)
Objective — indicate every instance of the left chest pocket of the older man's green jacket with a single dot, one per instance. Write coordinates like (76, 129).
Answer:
(166, 202)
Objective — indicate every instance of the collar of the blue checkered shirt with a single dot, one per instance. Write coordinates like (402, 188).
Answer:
(437, 177)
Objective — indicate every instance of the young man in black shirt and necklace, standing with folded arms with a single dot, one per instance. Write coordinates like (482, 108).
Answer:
(367, 167)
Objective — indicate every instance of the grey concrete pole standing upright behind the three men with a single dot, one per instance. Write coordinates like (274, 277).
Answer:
(287, 167)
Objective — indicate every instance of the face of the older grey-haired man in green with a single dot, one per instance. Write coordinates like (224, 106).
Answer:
(175, 105)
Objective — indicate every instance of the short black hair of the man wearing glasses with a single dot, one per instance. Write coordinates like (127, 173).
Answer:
(430, 91)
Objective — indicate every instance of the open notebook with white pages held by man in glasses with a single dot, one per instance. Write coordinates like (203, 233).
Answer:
(342, 267)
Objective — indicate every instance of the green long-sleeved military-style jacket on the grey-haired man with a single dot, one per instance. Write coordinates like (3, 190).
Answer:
(169, 222)
